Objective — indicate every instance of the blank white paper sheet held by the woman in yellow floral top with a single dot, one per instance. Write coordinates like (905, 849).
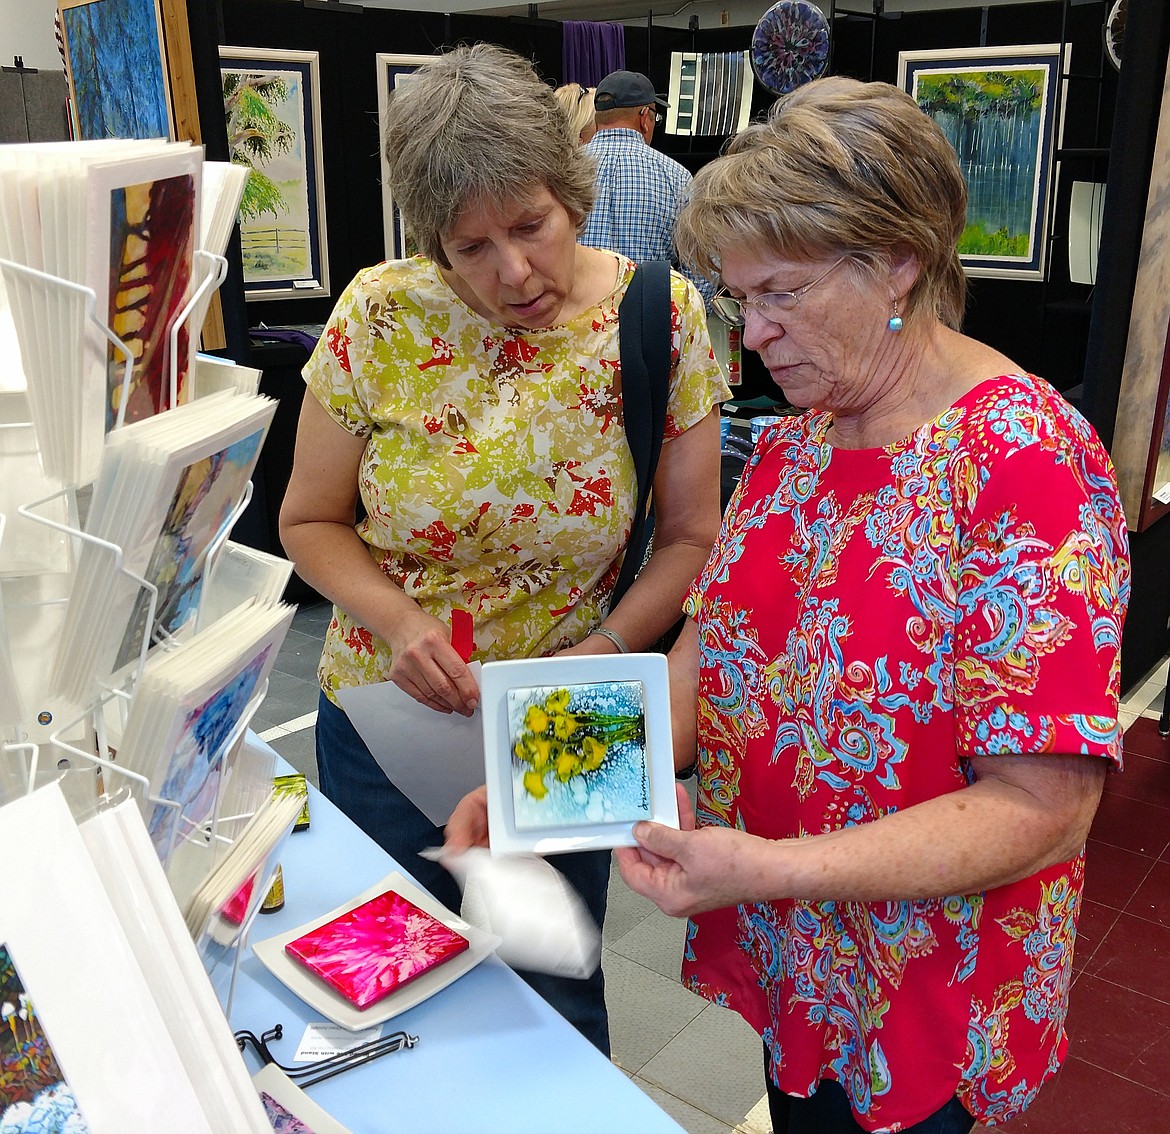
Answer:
(435, 759)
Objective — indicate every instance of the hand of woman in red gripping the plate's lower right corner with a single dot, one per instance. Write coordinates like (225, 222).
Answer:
(687, 871)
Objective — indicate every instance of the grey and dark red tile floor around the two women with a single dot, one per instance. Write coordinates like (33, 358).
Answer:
(703, 1064)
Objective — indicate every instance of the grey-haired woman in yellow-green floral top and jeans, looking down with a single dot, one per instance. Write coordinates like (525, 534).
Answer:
(471, 398)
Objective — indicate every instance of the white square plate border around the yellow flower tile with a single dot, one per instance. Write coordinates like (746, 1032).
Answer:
(499, 677)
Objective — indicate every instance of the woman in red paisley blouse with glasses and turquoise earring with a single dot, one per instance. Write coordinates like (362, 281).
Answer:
(904, 649)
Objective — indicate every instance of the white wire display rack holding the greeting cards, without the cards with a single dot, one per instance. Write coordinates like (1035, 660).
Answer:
(88, 736)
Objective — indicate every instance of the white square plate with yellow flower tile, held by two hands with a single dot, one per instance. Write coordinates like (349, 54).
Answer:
(576, 752)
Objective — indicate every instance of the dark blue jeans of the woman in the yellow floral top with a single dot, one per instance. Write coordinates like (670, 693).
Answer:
(354, 781)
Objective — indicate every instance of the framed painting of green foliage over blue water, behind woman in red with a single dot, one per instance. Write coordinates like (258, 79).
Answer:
(1000, 109)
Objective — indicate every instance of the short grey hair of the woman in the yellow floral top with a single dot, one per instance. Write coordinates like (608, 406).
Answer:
(479, 125)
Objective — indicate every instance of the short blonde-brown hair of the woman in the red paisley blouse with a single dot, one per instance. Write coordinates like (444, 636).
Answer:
(838, 168)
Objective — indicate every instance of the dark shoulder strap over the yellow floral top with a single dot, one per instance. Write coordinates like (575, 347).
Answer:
(644, 335)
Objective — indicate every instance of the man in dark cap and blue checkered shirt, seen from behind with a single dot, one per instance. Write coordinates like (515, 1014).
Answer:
(639, 189)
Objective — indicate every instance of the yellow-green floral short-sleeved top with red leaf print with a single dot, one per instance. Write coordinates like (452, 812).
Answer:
(497, 477)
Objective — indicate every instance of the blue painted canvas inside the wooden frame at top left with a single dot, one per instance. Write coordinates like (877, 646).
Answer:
(116, 66)
